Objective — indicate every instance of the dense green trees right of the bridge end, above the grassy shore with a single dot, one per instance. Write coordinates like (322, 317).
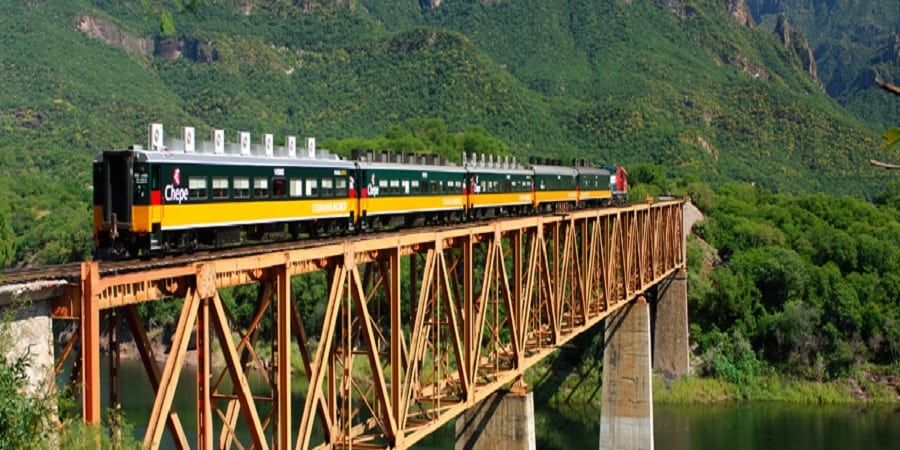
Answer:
(808, 284)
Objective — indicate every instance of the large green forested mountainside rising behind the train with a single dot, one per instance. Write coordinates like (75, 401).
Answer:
(696, 87)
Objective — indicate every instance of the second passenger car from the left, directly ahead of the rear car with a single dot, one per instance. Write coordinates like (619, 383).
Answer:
(407, 189)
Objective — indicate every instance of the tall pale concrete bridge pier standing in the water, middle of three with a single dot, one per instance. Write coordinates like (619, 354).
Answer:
(626, 413)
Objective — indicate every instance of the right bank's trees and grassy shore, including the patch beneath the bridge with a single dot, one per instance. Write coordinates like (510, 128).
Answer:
(792, 298)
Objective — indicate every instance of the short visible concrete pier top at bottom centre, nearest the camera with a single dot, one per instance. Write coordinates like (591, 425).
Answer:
(502, 420)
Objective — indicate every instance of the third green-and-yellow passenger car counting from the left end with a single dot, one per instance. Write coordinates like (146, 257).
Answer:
(497, 188)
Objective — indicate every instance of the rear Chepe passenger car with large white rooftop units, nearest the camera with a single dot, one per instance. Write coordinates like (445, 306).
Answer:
(175, 197)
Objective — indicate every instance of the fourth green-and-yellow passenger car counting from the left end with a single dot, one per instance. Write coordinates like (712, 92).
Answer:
(555, 186)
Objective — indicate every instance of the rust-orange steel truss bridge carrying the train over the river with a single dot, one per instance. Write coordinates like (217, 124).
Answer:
(394, 360)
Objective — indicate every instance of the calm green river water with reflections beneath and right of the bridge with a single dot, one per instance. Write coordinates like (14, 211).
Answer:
(576, 427)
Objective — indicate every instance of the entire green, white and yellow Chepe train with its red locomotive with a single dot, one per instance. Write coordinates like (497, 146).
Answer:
(180, 195)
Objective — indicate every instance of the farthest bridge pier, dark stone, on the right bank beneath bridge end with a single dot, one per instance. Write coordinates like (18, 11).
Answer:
(671, 352)
